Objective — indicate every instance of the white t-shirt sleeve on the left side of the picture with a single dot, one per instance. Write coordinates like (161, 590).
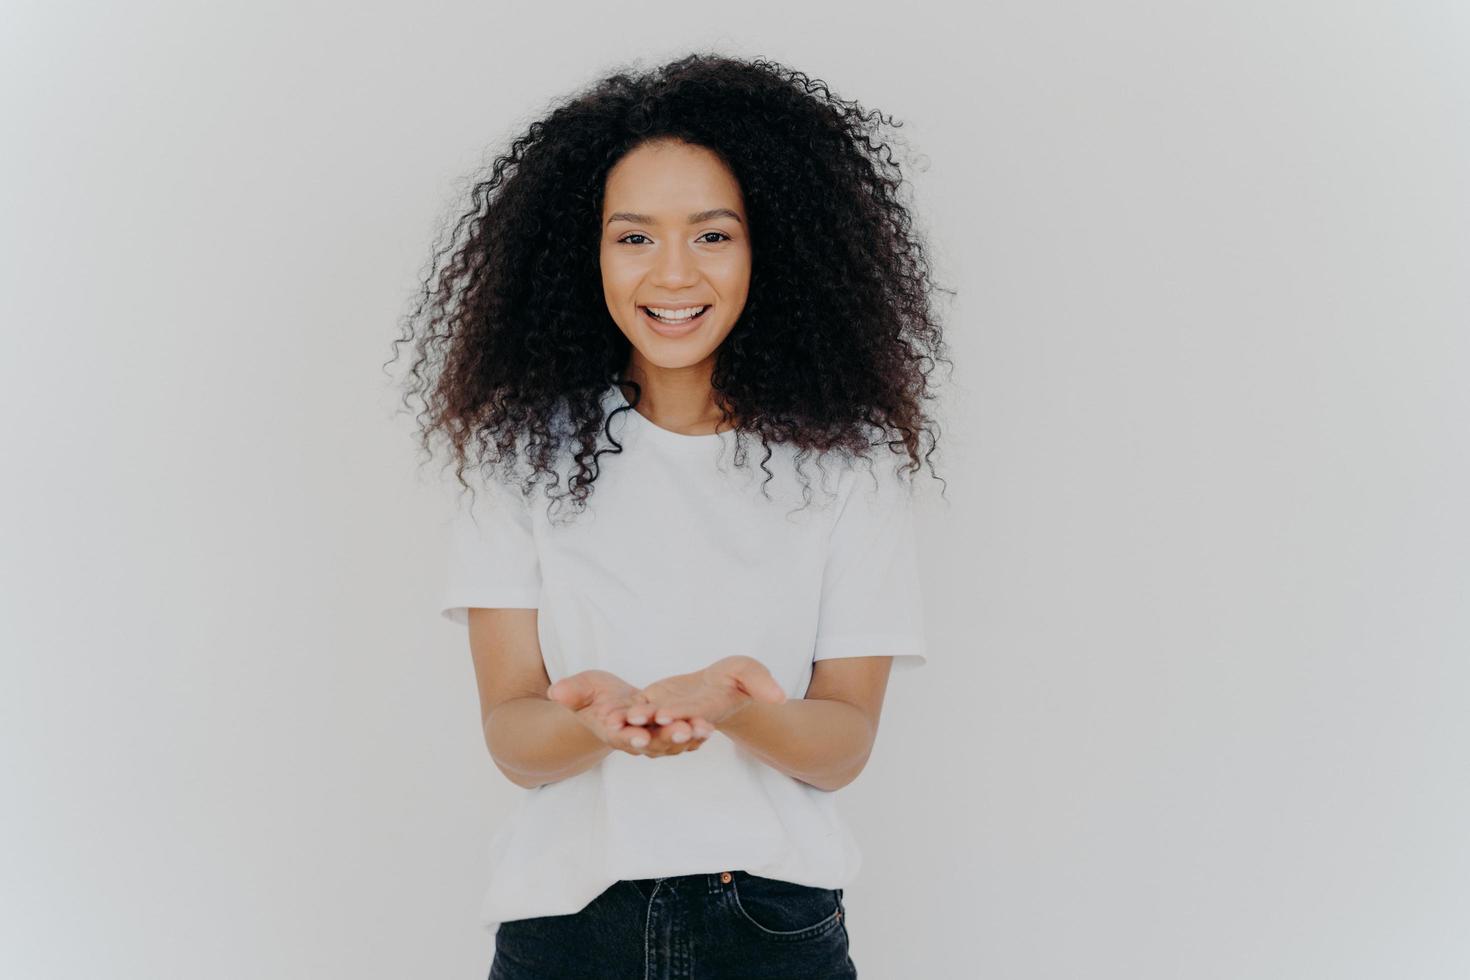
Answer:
(492, 555)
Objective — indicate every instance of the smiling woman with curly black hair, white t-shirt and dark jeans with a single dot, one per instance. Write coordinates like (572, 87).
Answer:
(662, 271)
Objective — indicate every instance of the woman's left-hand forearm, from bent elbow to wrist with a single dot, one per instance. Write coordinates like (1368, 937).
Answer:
(536, 741)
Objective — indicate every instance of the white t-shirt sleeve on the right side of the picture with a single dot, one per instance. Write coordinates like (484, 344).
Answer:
(871, 599)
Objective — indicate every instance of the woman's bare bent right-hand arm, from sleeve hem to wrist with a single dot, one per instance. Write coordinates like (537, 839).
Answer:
(825, 738)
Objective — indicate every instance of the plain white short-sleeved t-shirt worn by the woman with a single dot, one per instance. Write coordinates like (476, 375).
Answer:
(677, 562)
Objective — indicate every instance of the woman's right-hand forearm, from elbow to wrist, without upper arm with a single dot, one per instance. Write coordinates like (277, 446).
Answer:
(820, 741)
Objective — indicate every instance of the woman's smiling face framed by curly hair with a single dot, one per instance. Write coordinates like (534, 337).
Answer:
(674, 239)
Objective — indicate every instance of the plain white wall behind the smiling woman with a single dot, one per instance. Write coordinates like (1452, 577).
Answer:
(1197, 705)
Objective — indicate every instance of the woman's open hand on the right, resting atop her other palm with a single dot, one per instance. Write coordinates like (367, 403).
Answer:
(706, 699)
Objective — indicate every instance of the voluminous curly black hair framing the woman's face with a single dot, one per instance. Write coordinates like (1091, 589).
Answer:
(836, 343)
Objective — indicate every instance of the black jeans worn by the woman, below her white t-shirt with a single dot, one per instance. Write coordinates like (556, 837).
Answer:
(724, 926)
